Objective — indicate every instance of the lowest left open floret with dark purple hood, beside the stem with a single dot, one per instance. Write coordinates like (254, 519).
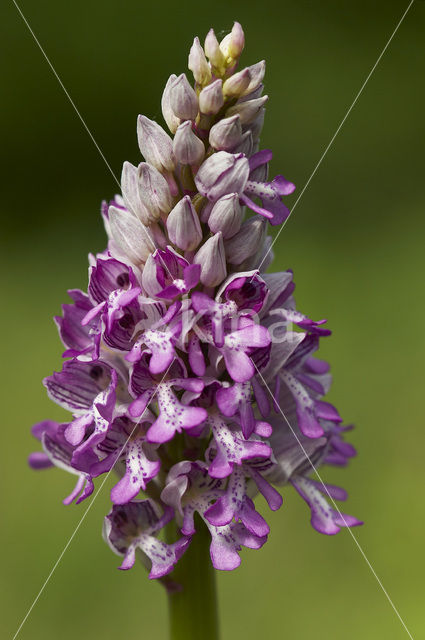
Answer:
(132, 526)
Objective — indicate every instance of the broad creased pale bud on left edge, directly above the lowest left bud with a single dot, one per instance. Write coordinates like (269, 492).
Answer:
(145, 192)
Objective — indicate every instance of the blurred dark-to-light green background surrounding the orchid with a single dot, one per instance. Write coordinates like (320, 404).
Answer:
(355, 243)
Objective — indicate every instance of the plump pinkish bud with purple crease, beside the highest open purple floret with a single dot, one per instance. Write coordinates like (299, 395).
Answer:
(222, 173)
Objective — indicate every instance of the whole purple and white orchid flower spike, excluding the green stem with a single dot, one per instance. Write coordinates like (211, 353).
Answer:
(188, 370)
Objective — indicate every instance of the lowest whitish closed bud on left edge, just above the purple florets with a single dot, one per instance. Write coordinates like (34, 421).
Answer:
(130, 235)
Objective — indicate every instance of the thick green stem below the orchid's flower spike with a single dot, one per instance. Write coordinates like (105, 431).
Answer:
(193, 609)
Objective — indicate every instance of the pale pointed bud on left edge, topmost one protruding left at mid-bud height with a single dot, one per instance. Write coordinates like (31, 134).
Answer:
(155, 145)
